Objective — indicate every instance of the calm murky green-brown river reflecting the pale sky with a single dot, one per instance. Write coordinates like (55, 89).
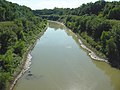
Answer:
(59, 63)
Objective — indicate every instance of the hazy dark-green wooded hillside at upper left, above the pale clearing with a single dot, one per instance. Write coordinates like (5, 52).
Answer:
(10, 11)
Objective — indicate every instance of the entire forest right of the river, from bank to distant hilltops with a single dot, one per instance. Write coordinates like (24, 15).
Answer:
(97, 23)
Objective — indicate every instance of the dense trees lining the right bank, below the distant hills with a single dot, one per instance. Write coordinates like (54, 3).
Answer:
(100, 33)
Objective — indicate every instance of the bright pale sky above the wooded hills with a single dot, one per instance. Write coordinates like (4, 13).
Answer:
(50, 4)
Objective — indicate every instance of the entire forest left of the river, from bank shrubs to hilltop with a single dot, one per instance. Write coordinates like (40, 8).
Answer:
(18, 30)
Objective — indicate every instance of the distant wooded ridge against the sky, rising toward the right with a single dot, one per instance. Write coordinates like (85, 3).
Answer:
(109, 10)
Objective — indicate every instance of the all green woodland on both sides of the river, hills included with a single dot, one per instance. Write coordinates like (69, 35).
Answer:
(97, 23)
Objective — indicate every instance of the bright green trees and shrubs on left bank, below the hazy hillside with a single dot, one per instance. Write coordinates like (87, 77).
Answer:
(15, 36)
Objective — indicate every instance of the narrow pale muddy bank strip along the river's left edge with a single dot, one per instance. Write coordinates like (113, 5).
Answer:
(26, 61)
